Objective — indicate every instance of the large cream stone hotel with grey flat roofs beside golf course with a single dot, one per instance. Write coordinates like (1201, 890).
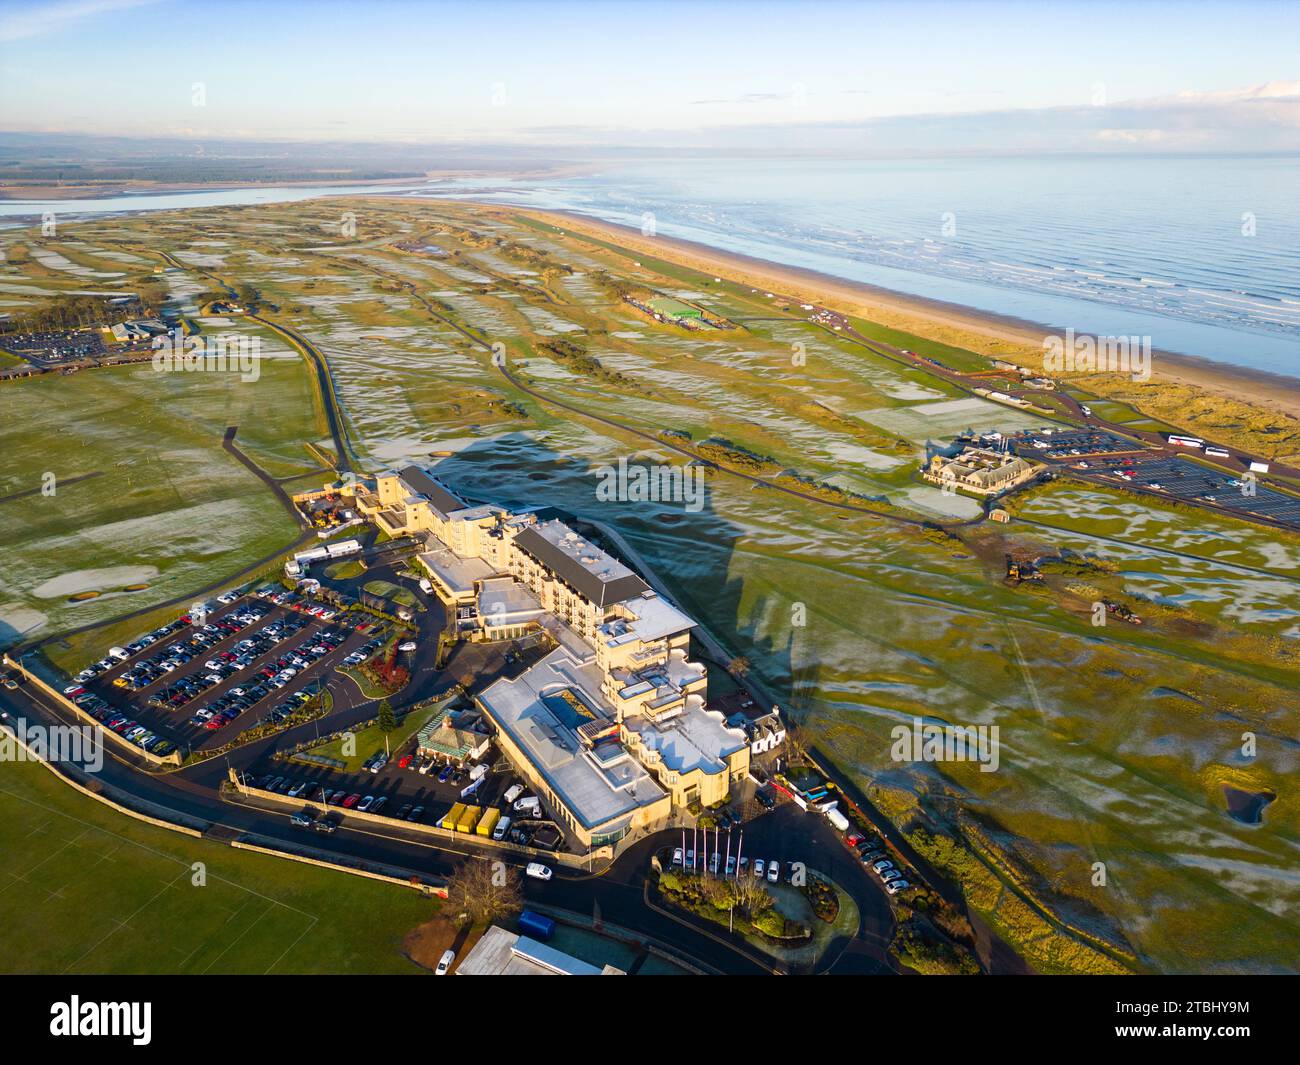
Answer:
(612, 728)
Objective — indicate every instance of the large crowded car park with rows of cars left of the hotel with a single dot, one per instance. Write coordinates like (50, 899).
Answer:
(250, 661)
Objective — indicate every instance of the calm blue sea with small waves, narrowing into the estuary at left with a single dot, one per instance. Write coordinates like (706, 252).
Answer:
(1199, 254)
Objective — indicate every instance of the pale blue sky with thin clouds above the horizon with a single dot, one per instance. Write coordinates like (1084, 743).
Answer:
(812, 76)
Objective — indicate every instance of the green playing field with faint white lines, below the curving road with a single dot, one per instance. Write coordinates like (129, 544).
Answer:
(88, 890)
